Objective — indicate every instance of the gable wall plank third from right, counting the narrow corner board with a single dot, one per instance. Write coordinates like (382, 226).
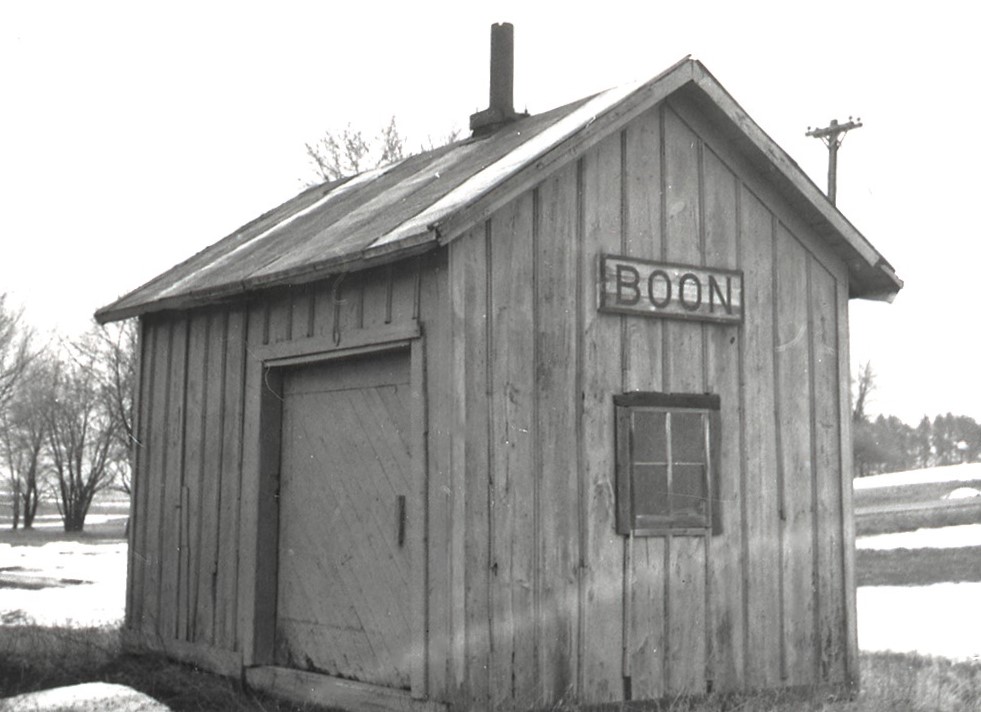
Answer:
(793, 394)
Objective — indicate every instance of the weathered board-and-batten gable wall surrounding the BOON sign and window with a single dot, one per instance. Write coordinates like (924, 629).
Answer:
(542, 600)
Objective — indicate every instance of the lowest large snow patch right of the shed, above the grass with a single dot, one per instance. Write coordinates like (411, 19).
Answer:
(939, 619)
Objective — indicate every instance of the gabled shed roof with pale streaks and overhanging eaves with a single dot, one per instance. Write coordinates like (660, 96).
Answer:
(429, 199)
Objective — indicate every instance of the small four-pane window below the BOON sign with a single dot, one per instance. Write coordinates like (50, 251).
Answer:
(667, 455)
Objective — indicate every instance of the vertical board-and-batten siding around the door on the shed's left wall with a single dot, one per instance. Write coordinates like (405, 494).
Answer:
(194, 531)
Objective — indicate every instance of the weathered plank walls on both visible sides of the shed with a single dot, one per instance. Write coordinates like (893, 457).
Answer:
(530, 595)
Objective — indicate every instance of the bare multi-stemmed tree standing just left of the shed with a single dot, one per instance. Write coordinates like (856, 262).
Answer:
(82, 438)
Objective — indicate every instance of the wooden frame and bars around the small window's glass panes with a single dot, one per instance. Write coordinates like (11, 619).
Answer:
(628, 521)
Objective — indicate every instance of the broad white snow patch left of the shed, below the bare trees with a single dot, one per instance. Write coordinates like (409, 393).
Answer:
(86, 583)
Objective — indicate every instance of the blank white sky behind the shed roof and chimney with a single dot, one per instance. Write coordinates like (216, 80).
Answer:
(134, 134)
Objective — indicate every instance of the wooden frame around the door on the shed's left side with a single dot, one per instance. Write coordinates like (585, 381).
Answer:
(259, 547)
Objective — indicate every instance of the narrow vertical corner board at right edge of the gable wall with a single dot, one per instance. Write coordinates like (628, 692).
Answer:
(847, 507)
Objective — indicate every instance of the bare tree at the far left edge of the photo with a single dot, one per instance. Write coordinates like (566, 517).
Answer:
(23, 432)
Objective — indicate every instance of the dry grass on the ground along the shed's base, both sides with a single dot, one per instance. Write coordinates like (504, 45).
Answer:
(35, 658)
